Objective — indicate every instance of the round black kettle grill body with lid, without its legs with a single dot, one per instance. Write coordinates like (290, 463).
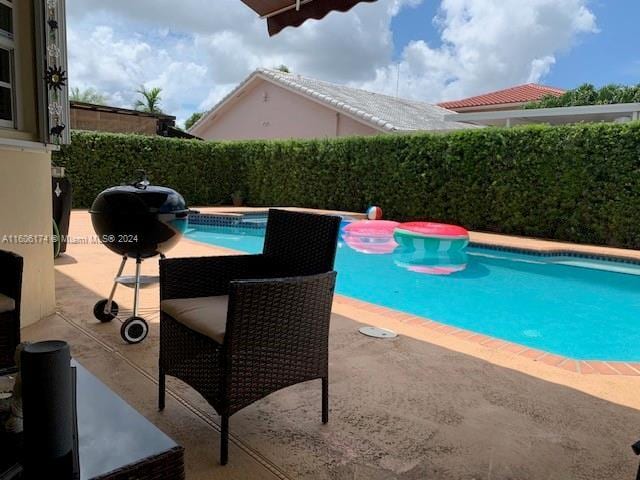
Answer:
(139, 220)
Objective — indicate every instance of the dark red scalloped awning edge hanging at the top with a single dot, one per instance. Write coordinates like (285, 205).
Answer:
(292, 13)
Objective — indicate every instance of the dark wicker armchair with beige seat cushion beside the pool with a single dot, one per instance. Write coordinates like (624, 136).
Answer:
(237, 328)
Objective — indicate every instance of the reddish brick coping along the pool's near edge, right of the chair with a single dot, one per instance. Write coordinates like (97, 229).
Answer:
(581, 367)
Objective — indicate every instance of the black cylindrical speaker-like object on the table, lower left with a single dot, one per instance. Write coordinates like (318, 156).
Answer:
(47, 404)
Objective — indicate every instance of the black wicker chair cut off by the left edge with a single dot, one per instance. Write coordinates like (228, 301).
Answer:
(10, 293)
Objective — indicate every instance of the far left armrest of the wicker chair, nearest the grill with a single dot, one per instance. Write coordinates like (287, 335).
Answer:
(205, 276)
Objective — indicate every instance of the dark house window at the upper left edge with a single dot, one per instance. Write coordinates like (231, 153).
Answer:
(7, 66)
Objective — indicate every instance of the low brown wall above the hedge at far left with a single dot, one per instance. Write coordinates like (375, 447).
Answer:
(82, 119)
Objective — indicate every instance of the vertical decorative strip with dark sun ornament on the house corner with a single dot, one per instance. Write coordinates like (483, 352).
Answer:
(54, 98)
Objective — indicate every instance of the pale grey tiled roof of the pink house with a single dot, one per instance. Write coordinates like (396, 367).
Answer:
(382, 112)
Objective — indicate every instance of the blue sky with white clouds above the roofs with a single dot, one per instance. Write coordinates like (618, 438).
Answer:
(430, 50)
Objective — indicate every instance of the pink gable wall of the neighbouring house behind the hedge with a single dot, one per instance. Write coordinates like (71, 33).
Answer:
(267, 111)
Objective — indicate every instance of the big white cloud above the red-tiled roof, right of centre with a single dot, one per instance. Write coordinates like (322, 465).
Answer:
(486, 45)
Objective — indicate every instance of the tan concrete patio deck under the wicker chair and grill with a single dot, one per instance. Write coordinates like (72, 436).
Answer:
(425, 405)
